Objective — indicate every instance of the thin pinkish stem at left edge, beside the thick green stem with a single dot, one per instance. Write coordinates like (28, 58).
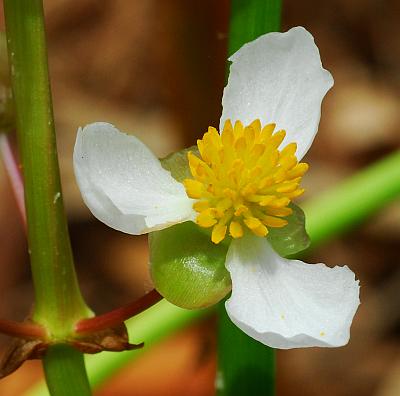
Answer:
(14, 174)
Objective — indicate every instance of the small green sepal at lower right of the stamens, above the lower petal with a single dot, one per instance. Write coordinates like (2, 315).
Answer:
(292, 238)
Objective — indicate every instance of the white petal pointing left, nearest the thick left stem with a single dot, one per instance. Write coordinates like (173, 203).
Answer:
(124, 184)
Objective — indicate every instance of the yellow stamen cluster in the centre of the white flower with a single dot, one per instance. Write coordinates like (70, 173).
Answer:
(242, 180)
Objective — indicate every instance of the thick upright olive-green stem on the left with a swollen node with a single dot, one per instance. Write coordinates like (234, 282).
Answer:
(58, 301)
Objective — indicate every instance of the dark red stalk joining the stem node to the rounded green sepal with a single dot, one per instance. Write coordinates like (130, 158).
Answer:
(119, 315)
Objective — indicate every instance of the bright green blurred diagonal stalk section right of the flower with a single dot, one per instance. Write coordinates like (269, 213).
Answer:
(338, 209)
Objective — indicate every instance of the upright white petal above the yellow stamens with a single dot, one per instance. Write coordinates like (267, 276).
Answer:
(278, 78)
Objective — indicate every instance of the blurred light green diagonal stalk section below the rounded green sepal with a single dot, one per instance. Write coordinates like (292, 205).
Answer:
(150, 326)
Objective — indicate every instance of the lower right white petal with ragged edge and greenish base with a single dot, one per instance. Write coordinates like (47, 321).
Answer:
(287, 303)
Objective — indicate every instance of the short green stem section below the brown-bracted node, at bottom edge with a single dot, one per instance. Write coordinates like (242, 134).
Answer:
(63, 367)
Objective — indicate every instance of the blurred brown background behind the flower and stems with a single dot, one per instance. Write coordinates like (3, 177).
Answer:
(156, 68)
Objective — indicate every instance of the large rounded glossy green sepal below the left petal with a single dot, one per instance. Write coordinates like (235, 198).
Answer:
(187, 268)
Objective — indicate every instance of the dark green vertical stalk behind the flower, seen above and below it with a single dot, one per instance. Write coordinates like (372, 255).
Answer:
(245, 366)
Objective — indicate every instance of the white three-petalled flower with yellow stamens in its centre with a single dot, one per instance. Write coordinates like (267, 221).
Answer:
(282, 303)
